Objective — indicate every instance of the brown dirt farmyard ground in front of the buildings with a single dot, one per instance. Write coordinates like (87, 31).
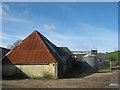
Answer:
(96, 80)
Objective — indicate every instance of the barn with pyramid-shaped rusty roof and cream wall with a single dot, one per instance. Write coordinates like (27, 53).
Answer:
(37, 57)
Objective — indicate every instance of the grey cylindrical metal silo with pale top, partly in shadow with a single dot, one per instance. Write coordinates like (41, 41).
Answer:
(90, 63)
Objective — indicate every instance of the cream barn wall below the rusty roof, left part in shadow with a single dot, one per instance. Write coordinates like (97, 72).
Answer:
(32, 71)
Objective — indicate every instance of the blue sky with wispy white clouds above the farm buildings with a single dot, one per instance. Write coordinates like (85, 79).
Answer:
(80, 26)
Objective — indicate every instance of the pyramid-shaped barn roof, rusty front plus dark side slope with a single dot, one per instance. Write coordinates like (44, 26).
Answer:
(34, 49)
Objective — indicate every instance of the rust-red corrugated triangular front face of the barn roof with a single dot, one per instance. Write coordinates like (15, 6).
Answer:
(20, 53)
